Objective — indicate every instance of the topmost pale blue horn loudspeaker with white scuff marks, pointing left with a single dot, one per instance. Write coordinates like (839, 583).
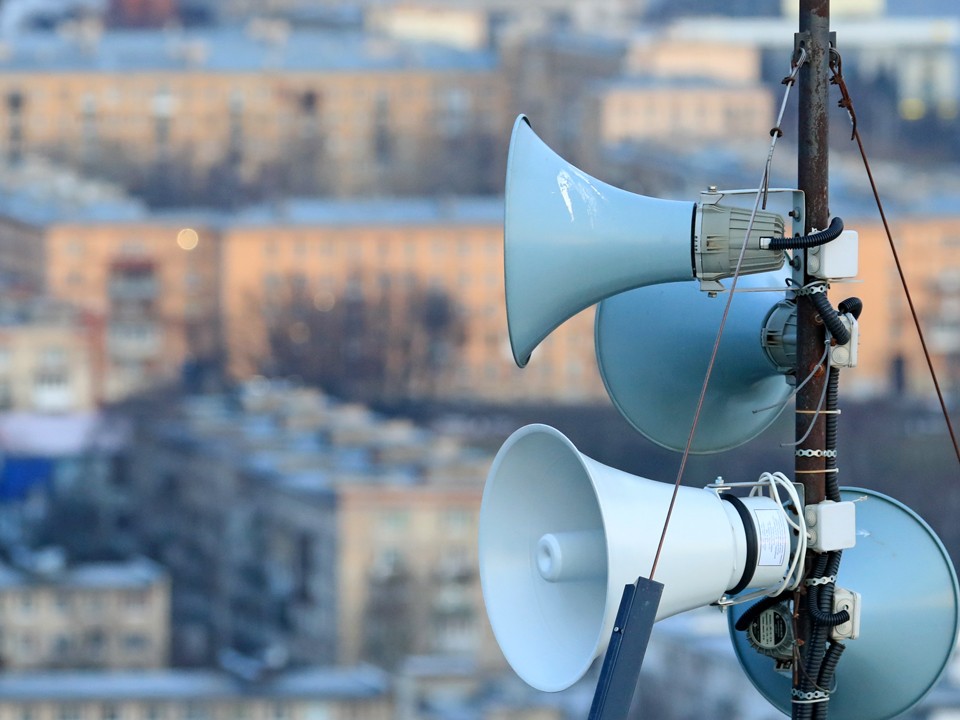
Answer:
(571, 240)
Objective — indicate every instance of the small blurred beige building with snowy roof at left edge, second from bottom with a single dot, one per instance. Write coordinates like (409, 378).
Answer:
(109, 615)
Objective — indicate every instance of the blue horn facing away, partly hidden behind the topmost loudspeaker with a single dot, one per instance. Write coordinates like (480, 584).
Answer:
(654, 344)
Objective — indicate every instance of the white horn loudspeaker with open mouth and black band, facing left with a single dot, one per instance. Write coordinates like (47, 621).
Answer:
(561, 535)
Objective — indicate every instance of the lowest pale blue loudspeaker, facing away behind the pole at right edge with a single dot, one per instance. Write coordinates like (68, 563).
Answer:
(908, 623)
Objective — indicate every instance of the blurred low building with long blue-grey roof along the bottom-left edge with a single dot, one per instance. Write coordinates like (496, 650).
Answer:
(359, 693)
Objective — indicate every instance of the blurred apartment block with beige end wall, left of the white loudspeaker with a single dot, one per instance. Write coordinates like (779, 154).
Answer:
(301, 529)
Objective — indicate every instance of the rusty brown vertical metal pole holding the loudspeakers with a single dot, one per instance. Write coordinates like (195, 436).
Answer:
(814, 36)
